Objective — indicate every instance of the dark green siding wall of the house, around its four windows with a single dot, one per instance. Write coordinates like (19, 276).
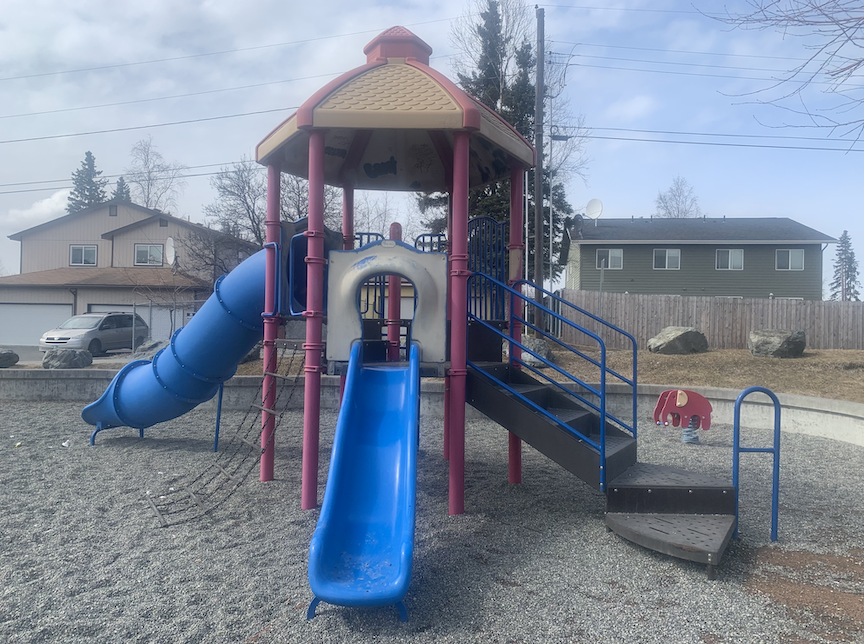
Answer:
(698, 276)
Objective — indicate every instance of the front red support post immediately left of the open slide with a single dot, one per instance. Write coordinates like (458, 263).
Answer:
(314, 314)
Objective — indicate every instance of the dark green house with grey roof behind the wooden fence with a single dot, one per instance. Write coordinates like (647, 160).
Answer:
(753, 257)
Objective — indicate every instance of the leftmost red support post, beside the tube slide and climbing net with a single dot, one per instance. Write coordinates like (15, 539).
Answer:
(271, 323)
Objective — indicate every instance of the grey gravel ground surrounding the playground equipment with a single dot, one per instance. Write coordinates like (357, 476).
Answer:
(84, 556)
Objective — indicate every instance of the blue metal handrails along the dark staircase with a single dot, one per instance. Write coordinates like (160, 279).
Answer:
(518, 302)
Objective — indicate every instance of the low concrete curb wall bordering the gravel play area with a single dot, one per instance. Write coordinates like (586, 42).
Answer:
(834, 419)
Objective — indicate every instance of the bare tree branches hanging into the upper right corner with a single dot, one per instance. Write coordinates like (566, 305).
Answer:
(832, 32)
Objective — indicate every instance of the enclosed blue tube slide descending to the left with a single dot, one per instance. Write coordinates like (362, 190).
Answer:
(202, 355)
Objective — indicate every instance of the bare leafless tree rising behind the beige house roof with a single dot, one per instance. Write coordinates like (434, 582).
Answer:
(154, 182)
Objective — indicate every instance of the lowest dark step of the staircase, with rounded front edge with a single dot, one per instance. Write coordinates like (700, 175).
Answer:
(695, 537)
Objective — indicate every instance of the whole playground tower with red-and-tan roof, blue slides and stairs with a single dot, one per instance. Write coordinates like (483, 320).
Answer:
(397, 124)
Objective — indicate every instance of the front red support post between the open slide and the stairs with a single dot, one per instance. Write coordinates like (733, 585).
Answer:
(459, 320)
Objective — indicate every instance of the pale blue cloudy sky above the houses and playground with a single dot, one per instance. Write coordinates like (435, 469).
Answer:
(665, 90)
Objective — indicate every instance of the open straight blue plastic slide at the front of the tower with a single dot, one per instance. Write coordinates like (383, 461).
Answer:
(362, 550)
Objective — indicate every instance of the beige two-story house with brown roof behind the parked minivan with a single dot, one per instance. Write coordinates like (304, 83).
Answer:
(116, 256)
